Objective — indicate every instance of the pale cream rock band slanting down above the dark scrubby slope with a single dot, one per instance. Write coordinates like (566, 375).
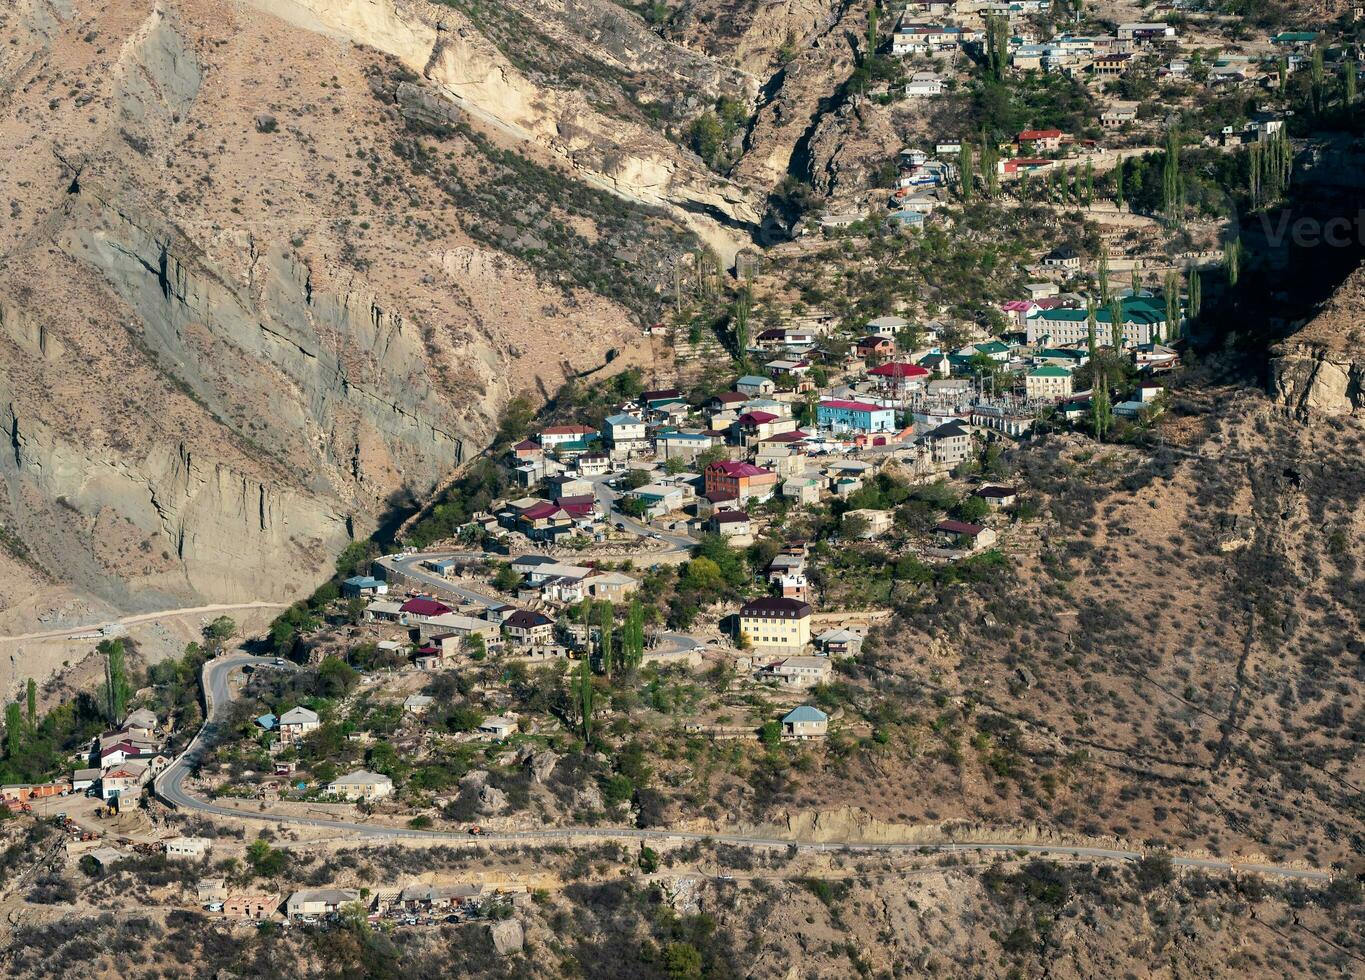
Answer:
(630, 159)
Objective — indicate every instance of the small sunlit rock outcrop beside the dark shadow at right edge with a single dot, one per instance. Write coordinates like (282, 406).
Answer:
(1322, 368)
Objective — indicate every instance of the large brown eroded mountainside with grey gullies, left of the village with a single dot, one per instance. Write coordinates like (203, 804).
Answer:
(234, 326)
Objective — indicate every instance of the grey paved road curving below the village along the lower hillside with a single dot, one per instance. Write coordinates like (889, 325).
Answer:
(171, 790)
